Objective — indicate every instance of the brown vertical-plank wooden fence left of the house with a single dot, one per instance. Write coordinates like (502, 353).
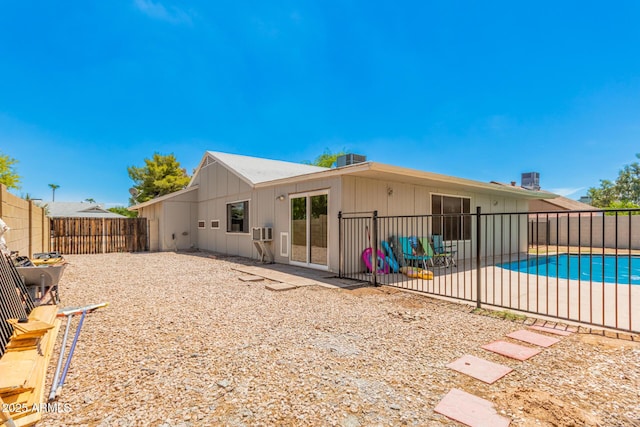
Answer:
(99, 235)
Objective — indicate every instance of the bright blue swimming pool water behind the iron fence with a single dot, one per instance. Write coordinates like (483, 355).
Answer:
(582, 267)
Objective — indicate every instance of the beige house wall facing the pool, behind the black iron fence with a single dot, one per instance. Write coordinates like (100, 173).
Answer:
(391, 198)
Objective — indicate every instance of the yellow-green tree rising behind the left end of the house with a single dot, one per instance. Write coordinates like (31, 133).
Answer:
(159, 176)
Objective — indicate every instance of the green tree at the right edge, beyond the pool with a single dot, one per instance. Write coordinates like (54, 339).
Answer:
(625, 191)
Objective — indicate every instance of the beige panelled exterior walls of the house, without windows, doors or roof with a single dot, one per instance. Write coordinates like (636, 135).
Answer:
(177, 219)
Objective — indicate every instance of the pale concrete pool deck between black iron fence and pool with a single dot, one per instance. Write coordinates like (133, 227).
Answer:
(597, 304)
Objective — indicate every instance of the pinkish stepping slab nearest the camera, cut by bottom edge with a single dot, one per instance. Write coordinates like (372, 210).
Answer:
(470, 410)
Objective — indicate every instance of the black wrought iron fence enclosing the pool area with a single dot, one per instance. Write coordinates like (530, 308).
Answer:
(582, 266)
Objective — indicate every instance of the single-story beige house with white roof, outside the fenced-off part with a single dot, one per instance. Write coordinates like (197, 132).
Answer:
(230, 196)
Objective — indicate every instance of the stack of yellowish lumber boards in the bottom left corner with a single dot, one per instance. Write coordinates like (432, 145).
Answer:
(23, 366)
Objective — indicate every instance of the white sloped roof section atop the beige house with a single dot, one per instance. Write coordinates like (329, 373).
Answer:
(255, 170)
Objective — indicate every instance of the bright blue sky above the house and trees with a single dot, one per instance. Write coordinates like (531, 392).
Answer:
(481, 90)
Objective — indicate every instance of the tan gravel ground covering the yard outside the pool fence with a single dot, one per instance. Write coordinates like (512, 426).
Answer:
(184, 342)
